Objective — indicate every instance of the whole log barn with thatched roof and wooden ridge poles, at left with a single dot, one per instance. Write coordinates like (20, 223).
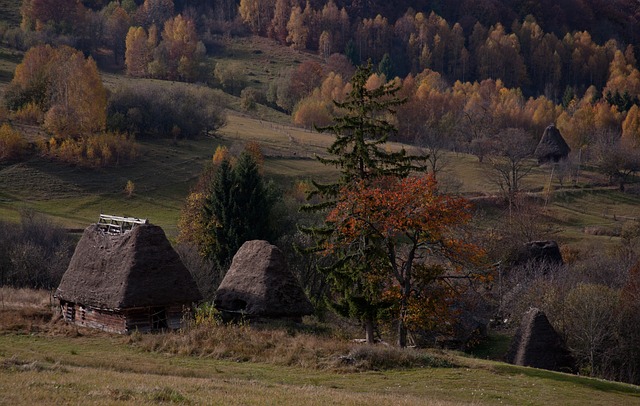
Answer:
(126, 281)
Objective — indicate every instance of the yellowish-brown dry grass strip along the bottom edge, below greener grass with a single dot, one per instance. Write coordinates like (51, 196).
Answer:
(81, 385)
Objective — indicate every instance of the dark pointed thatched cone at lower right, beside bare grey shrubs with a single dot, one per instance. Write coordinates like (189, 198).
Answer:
(536, 344)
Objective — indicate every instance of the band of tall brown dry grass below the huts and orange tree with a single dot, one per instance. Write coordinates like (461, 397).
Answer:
(283, 346)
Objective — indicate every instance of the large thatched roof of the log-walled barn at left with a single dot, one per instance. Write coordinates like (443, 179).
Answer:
(136, 269)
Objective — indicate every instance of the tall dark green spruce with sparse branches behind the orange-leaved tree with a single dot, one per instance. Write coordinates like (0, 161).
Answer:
(358, 152)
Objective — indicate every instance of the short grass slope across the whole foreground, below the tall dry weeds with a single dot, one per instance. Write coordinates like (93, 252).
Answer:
(73, 366)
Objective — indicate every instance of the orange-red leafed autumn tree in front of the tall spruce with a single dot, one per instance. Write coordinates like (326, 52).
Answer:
(419, 249)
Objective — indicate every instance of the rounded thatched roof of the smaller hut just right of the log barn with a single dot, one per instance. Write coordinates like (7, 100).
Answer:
(259, 283)
